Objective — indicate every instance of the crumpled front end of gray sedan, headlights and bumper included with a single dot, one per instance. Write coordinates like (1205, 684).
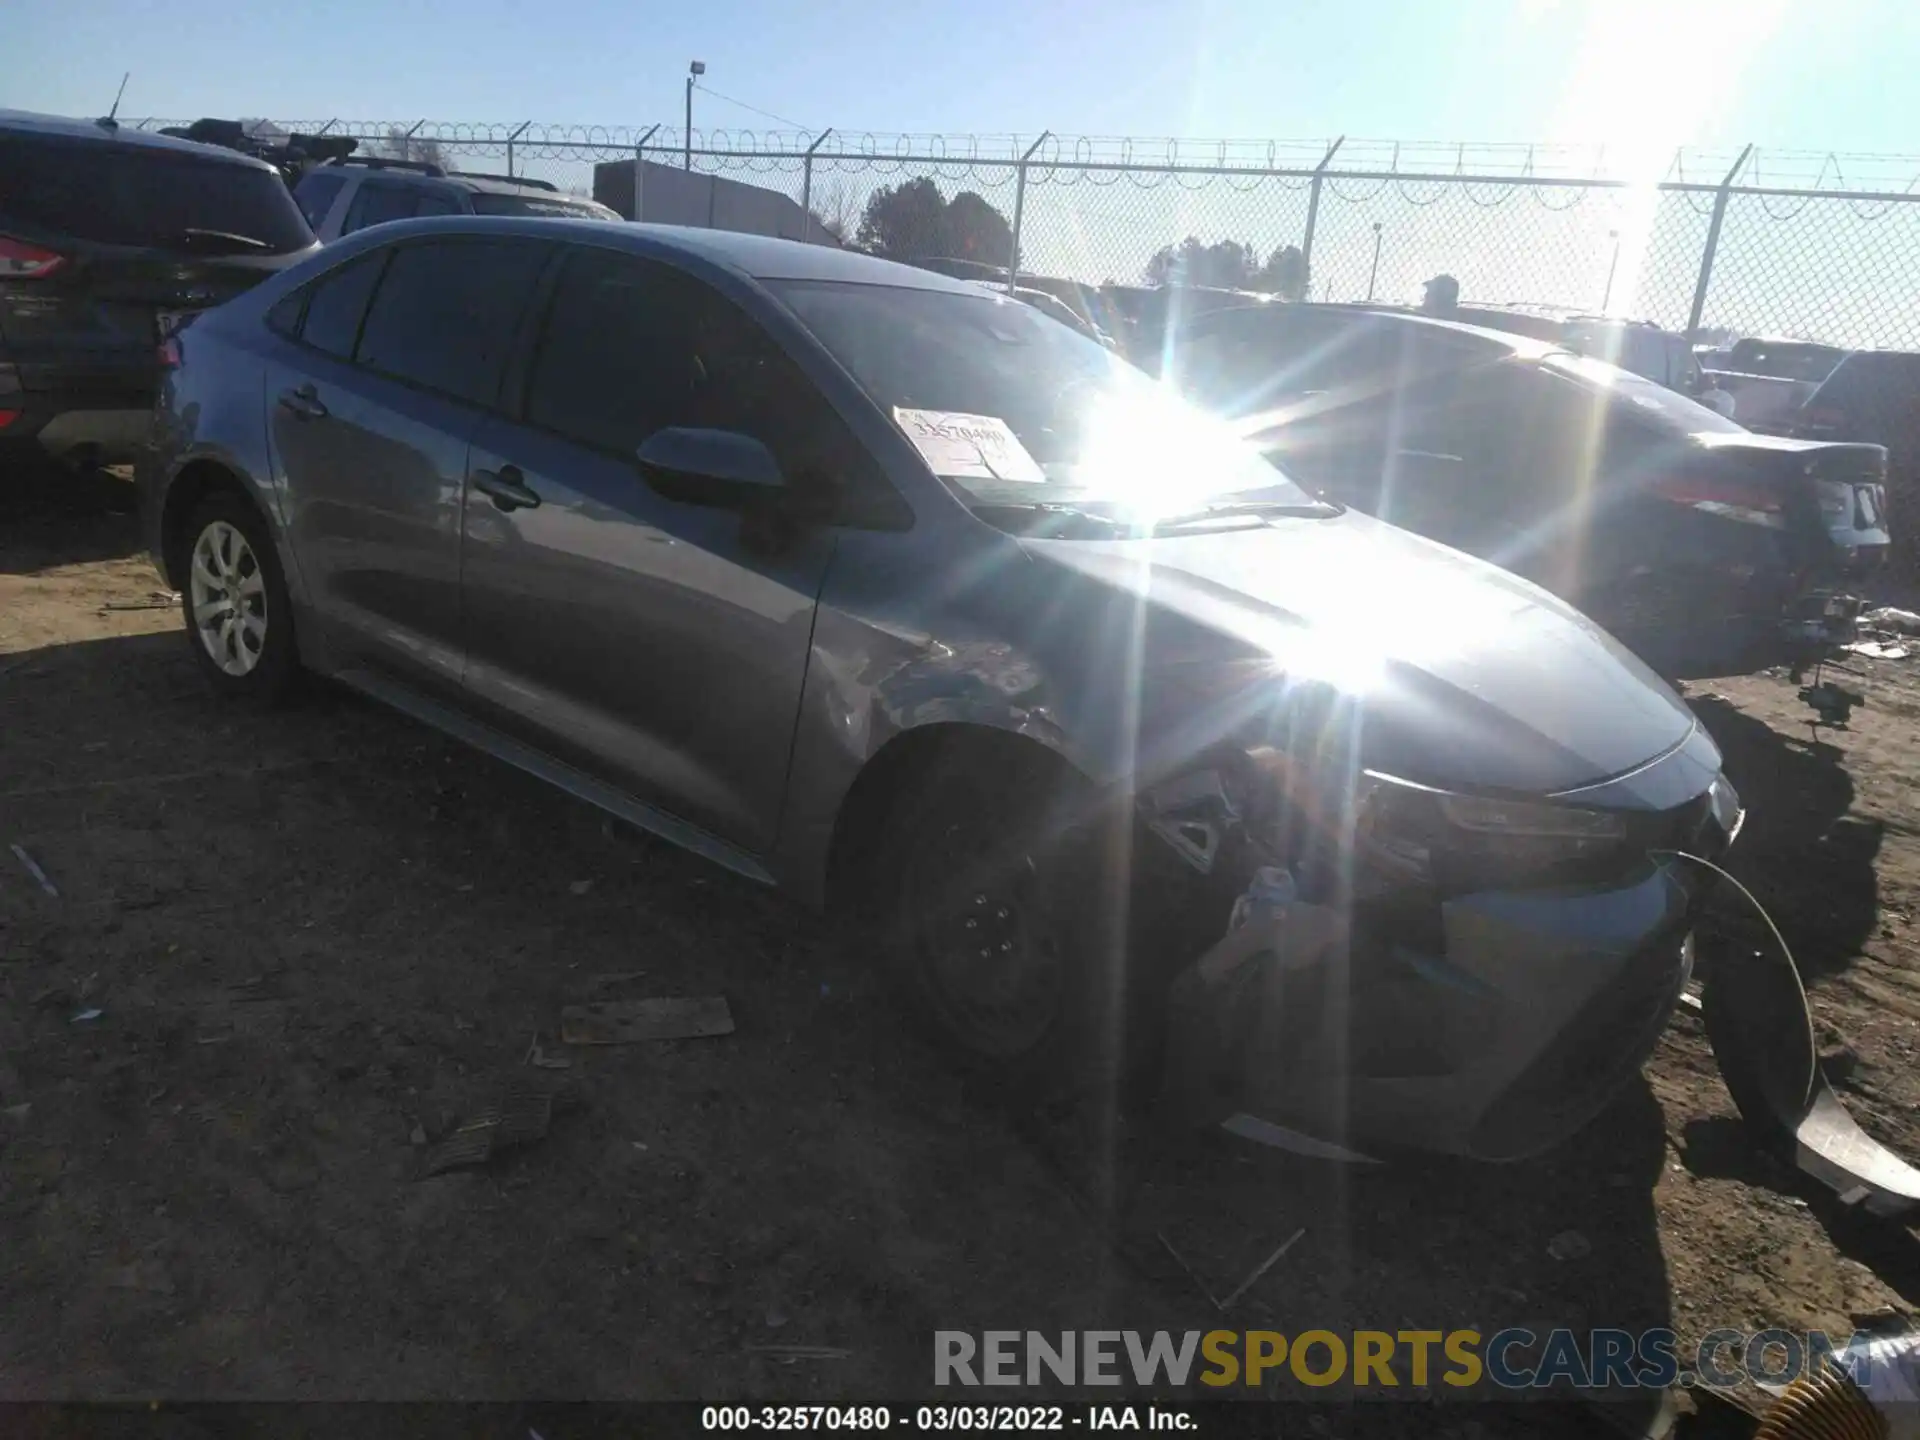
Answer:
(1399, 967)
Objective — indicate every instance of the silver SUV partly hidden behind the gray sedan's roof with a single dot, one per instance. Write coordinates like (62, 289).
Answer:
(352, 195)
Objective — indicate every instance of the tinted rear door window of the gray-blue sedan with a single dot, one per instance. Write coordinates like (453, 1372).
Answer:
(446, 314)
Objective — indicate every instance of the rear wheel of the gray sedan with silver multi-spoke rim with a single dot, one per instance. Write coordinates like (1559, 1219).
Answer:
(229, 564)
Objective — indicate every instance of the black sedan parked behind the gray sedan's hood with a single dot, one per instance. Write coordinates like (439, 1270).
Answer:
(1692, 539)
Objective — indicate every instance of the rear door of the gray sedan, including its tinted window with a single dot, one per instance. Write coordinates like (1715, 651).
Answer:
(395, 362)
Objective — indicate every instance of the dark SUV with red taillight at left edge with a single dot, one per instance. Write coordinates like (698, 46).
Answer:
(107, 239)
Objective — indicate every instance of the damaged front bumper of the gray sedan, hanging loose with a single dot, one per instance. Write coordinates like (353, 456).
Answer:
(1489, 1024)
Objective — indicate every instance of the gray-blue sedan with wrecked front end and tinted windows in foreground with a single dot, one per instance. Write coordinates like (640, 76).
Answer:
(907, 600)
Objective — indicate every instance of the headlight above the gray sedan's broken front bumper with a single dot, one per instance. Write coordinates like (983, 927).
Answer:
(1416, 838)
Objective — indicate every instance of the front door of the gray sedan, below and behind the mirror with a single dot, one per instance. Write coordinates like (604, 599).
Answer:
(654, 642)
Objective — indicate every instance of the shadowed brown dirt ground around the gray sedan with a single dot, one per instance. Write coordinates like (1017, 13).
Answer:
(322, 940)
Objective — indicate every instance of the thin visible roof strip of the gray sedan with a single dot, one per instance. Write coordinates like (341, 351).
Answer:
(756, 256)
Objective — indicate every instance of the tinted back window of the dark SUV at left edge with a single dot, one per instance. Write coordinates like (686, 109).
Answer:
(137, 197)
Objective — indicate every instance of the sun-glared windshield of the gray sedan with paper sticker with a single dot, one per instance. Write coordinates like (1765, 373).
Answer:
(1015, 408)
